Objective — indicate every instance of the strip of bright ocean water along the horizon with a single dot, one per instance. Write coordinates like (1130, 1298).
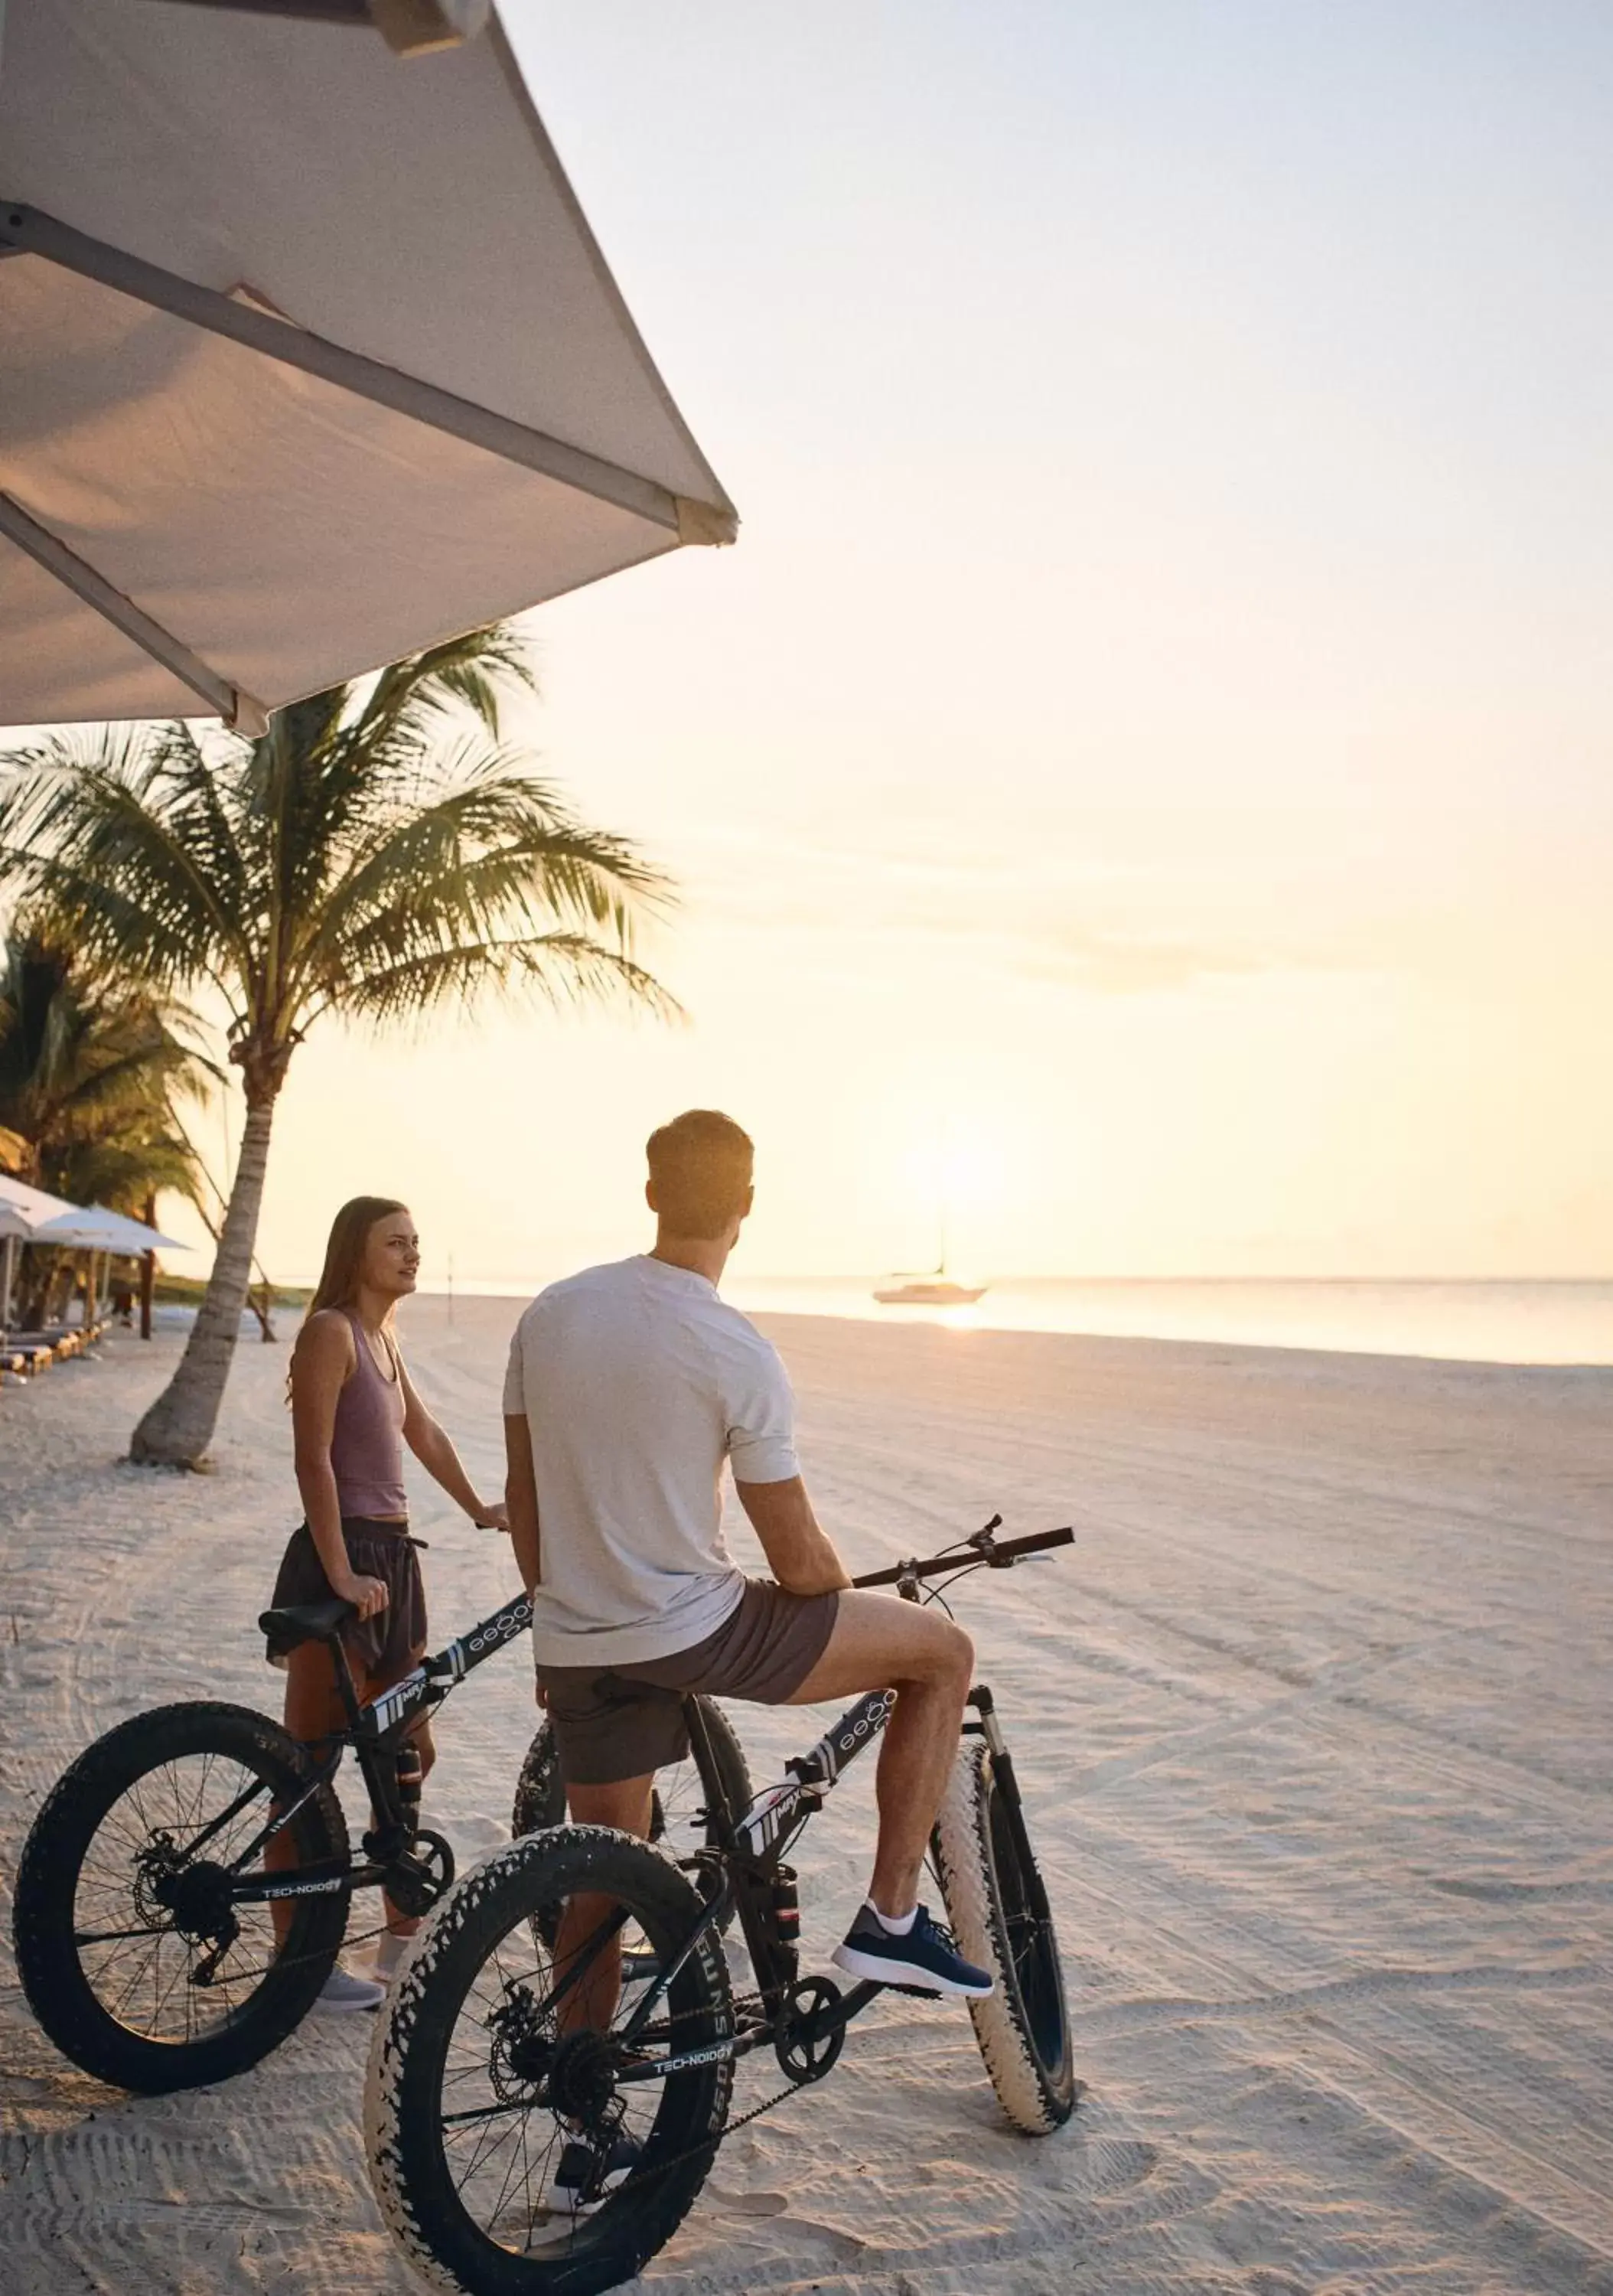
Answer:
(1481, 1324)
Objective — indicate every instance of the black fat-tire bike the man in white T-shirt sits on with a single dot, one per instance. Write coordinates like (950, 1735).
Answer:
(488, 2079)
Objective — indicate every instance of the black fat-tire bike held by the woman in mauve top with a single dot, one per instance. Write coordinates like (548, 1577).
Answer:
(143, 1905)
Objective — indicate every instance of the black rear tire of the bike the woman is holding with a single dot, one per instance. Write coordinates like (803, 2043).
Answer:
(47, 1886)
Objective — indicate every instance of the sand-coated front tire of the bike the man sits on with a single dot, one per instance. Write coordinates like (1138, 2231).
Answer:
(1036, 2091)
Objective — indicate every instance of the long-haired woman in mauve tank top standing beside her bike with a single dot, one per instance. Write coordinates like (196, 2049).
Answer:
(352, 1413)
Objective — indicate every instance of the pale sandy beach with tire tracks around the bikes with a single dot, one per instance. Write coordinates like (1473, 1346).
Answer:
(1316, 1737)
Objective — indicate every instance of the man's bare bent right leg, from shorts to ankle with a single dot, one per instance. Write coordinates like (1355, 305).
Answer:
(928, 1661)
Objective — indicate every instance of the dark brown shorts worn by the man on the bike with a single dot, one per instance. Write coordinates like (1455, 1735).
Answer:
(616, 1723)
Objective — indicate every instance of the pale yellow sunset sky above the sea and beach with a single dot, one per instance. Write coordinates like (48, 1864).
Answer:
(1144, 770)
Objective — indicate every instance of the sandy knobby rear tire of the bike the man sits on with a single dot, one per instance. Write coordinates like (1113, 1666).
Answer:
(410, 2049)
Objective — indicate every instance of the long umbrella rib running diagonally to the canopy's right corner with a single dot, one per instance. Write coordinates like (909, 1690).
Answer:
(31, 233)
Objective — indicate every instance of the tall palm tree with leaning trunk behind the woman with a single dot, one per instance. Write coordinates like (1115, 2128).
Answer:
(380, 853)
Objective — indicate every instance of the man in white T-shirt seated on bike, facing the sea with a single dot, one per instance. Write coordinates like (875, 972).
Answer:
(628, 1390)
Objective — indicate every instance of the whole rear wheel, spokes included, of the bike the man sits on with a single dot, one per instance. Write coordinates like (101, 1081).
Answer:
(506, 2065)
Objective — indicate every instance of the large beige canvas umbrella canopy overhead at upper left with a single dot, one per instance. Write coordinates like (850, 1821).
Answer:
(309, 359)
